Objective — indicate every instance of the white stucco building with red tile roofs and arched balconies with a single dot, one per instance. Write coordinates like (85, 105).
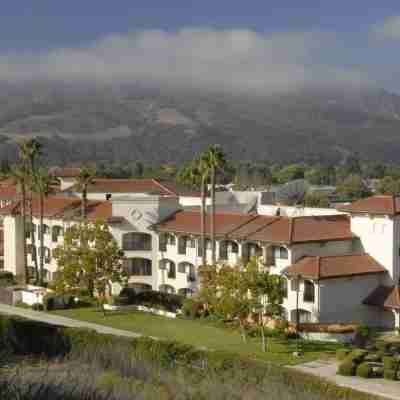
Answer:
(343, 266)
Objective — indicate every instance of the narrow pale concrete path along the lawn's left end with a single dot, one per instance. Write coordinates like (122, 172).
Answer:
(63, 321)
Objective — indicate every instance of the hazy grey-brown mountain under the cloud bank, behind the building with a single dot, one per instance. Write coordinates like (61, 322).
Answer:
(132, 123)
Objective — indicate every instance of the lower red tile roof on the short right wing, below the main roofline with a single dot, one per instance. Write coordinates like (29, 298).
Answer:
(318, 268)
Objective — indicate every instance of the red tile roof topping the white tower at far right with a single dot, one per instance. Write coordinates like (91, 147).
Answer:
(385, 204)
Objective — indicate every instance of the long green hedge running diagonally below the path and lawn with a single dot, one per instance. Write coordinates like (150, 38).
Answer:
(24, 337)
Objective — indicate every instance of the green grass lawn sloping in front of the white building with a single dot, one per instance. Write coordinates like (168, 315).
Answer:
(203, 334)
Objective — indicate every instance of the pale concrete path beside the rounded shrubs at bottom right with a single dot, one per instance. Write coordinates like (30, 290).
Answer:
(327, 370)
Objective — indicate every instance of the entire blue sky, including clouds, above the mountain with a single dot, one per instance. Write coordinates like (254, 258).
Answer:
(355, 40)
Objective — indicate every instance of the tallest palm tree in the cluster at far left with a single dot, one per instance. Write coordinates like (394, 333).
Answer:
(30, 150)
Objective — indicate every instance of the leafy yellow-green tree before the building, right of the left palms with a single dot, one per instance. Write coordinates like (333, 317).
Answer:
(89, 258)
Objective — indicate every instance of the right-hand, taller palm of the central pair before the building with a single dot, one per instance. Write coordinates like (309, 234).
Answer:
(216, 162)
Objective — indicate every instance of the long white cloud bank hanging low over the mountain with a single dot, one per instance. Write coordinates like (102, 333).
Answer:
(238, 60)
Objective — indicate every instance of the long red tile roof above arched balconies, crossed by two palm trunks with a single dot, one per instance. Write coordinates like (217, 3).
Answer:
(263, 228)
